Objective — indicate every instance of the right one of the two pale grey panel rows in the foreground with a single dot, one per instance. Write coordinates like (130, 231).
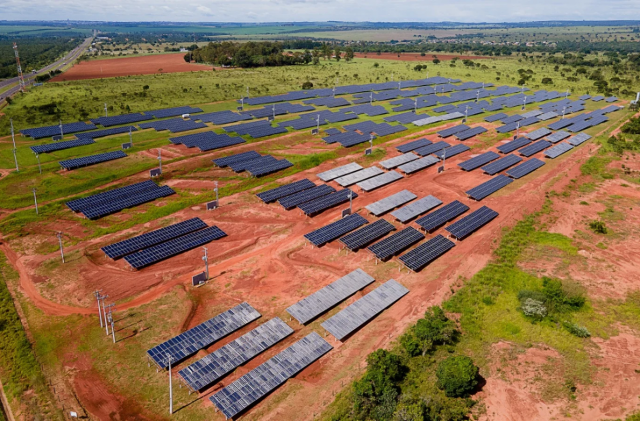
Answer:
(347, 321)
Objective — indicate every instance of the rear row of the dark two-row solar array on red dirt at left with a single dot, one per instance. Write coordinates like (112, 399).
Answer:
(139, 242)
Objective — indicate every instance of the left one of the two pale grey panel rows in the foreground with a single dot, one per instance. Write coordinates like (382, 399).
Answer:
(326, 298)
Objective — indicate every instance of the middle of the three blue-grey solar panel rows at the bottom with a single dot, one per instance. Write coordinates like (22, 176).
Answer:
(215, 366)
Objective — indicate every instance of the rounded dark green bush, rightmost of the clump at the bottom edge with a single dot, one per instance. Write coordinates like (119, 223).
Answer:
(457, 376)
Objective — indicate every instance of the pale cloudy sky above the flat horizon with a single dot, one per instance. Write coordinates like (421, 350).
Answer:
(321, 10)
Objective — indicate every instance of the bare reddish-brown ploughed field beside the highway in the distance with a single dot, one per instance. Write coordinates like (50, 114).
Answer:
(127, 66)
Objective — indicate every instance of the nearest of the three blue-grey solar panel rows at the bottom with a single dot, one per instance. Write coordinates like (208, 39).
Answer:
(253, 386)
